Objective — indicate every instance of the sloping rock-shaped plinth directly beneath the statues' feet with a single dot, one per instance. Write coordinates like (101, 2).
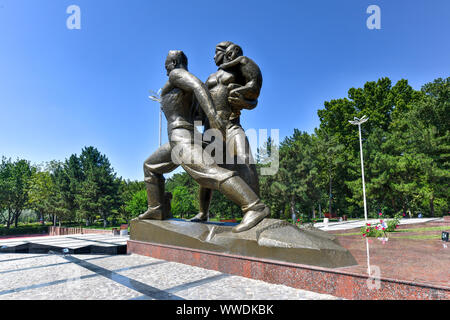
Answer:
(270, 239)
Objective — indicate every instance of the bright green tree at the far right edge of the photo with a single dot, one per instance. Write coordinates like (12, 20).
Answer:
(418, 148)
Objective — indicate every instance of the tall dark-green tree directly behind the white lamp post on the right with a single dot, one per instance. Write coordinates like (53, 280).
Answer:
(382, 103)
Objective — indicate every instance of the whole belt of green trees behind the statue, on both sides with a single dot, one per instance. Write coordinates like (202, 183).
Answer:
(406, 145)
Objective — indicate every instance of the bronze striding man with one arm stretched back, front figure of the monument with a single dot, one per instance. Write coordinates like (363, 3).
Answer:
(178, 98)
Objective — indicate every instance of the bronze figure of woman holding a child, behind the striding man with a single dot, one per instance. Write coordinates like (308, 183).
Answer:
(235, 86)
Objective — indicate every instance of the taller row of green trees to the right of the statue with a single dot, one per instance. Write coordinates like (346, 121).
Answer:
(406, 146)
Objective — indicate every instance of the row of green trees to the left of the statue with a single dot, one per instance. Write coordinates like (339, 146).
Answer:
(82, 188)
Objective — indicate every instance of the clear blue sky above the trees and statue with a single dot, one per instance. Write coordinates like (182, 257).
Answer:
(61, 90)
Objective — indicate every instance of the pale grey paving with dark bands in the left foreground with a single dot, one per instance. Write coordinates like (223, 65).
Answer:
(128, 277)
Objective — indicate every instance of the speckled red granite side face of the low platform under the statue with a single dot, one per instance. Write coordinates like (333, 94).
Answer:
(336, 282)
